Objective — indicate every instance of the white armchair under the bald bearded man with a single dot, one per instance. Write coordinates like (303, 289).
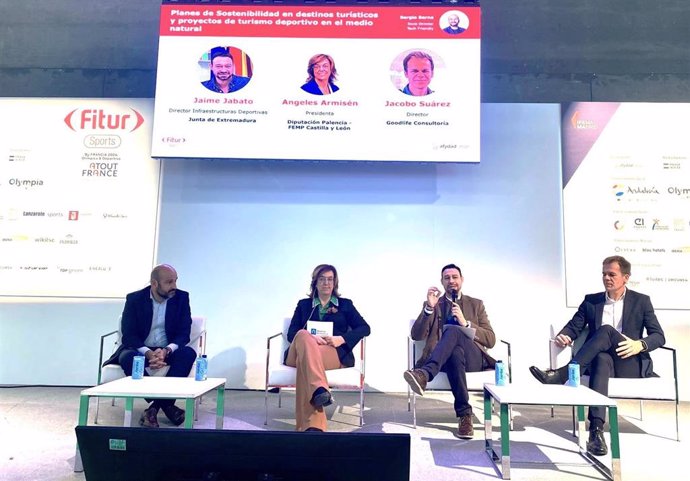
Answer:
(111, 372)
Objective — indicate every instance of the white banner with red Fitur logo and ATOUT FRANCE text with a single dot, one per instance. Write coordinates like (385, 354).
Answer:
(78, 197)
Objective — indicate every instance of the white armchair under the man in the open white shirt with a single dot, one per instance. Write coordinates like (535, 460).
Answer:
(662, 388)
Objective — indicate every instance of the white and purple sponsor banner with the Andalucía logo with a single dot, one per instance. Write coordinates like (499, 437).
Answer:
(626, 191)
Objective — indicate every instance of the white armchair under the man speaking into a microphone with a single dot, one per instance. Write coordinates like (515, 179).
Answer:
(475, 380)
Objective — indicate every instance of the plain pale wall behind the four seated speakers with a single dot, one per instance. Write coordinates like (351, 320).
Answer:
(245, 236)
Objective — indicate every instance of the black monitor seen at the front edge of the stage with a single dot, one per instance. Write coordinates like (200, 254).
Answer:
(135, 454)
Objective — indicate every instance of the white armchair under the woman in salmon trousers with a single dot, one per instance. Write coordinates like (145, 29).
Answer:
(279, 376)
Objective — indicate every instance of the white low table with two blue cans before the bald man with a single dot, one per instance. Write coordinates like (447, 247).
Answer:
(152, 387)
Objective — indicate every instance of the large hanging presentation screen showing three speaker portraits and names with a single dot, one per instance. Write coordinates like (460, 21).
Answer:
(386, 82)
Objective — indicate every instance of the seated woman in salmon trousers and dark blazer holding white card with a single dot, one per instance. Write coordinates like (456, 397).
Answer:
(314, 354)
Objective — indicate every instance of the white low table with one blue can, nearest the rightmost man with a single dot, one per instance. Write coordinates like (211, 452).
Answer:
(548, 395)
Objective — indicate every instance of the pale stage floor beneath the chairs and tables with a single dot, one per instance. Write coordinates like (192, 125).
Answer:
(37, 438)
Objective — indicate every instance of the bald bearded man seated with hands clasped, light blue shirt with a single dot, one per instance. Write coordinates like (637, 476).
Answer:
(156, 323)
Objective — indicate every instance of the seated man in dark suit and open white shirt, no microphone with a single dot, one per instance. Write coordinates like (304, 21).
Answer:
(615, 346)
